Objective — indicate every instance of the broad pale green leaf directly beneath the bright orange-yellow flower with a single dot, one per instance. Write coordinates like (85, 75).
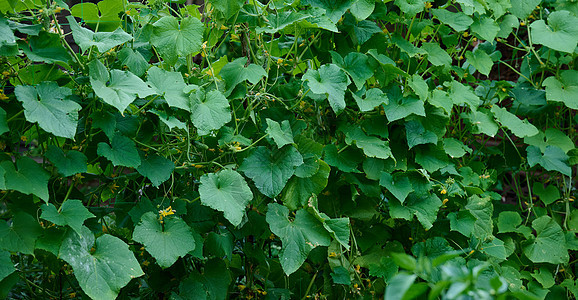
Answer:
(166, 241)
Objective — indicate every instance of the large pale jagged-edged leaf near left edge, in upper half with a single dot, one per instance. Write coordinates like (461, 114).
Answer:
(45, 104)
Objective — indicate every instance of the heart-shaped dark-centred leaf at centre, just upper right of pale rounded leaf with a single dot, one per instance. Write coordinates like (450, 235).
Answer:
(271, 170)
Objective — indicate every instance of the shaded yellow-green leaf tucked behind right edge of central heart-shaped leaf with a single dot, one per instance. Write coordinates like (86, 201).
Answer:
(298, 190)
